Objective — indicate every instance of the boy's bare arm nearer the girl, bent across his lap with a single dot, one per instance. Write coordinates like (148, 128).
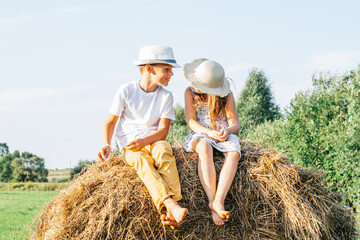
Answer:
(159, 134)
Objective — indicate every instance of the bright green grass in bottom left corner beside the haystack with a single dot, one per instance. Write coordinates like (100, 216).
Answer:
(18, 210)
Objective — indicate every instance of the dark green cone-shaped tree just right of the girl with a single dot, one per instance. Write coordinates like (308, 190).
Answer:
(255, 104)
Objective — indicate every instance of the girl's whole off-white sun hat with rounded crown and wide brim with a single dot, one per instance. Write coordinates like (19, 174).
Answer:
(207, 76)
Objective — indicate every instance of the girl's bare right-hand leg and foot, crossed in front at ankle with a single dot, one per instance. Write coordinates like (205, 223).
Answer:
(226, 178)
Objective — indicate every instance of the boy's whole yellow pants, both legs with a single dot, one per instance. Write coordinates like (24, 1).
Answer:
(156, 167)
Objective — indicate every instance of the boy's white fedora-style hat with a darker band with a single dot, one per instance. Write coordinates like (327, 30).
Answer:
(156, 54)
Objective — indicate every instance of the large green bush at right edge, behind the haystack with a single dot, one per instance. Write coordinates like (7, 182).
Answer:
(321, 130)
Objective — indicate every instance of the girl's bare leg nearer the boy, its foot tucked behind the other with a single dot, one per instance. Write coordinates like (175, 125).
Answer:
(207, 174)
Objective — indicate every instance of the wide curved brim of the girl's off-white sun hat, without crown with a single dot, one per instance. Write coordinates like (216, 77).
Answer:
(189, 70)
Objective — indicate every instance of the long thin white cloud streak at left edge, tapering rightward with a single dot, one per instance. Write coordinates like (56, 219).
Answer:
(21, 95)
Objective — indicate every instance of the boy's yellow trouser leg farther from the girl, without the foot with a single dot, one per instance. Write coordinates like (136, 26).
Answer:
(144, 166)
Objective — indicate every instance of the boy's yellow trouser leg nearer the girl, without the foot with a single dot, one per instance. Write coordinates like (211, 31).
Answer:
(165, 163)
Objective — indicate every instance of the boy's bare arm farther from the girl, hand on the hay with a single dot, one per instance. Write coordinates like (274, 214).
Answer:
(108, 131)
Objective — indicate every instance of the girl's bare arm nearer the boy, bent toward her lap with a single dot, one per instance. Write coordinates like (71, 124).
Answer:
(190, 115)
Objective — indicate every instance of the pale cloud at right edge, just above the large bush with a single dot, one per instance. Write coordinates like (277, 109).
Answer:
(335, 61)
